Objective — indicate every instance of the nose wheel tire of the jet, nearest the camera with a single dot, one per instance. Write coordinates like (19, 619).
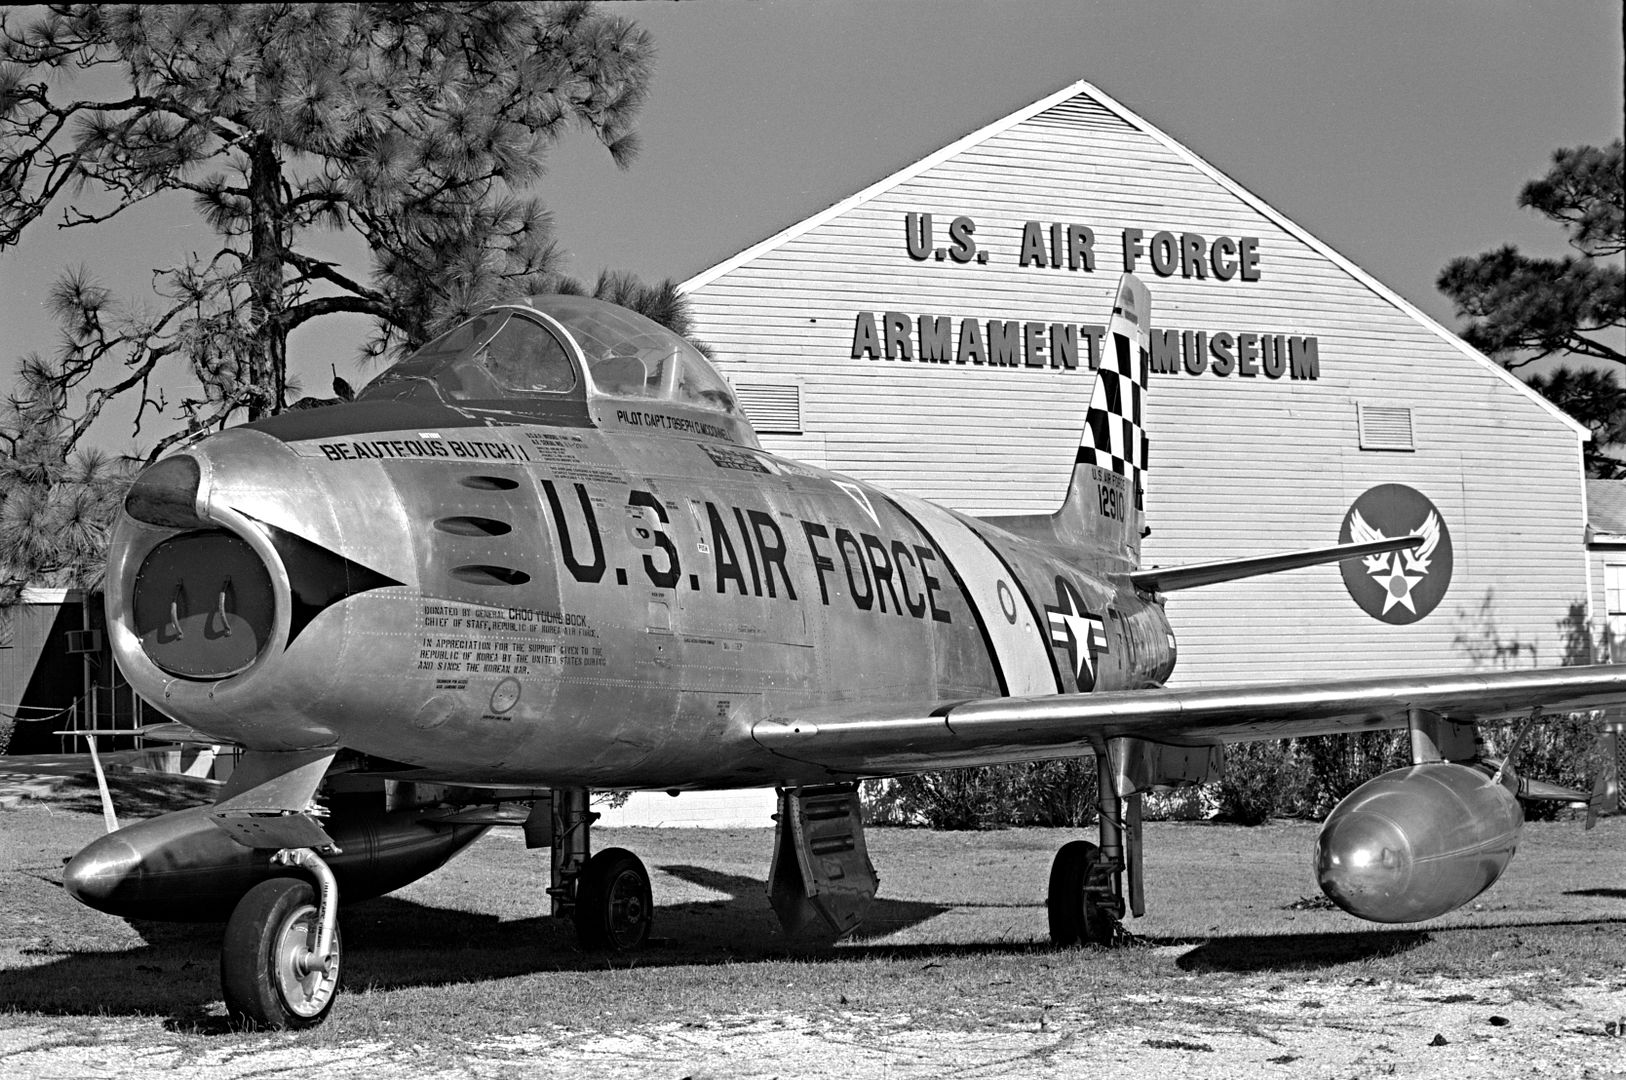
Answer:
(272, 930)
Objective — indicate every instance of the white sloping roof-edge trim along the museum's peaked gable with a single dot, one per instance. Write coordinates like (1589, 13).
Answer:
(1093, 97)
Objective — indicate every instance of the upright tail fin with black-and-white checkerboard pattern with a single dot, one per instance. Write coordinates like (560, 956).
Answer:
(1103, 510)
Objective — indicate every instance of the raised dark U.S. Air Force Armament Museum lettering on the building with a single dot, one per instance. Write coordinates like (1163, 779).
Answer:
(1067, 346)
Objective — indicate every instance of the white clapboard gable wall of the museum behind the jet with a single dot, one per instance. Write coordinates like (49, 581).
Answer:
(1240, 466)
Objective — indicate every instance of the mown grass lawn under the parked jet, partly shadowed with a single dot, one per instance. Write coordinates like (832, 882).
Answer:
(957, 936)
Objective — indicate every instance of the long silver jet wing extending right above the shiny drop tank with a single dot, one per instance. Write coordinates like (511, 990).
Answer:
(1058, 726)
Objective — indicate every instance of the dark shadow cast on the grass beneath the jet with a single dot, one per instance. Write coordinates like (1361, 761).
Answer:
(399, 944)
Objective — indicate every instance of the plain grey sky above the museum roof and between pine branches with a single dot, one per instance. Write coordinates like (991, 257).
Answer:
(1396, 133)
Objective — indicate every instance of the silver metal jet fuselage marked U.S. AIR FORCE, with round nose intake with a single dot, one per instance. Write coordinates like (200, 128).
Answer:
(585, 590)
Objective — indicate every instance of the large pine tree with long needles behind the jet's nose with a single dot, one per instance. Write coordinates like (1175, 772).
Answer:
(419, 128)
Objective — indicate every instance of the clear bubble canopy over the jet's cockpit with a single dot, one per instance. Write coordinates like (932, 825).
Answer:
(554, 349)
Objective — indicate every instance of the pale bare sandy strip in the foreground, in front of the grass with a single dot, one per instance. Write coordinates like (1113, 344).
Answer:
(1432, 1029)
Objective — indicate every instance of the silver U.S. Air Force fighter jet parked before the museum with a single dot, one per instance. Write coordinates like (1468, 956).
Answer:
(547, 554)
